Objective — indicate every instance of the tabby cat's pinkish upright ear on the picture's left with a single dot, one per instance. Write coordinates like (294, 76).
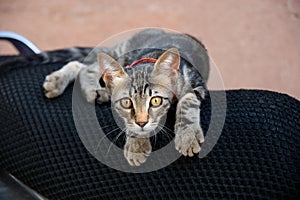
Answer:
(112, 71)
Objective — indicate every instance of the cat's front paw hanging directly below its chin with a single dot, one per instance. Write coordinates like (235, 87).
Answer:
(137, 150)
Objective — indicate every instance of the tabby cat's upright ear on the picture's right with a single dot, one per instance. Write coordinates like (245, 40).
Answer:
(168, 63)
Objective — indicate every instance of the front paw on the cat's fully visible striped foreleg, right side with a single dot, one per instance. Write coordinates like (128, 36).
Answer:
(187, 141)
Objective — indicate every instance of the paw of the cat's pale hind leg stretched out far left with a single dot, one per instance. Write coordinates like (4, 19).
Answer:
(54, 84)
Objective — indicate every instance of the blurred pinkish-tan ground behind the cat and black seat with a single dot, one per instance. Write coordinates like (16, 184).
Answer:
(255, 44)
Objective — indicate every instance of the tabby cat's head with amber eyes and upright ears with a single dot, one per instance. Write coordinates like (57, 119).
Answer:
(143, 94)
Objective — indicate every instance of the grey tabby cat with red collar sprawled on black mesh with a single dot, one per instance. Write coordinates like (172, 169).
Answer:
(142, 77)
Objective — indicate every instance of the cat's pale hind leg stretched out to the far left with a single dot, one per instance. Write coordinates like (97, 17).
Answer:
(56, 82)
